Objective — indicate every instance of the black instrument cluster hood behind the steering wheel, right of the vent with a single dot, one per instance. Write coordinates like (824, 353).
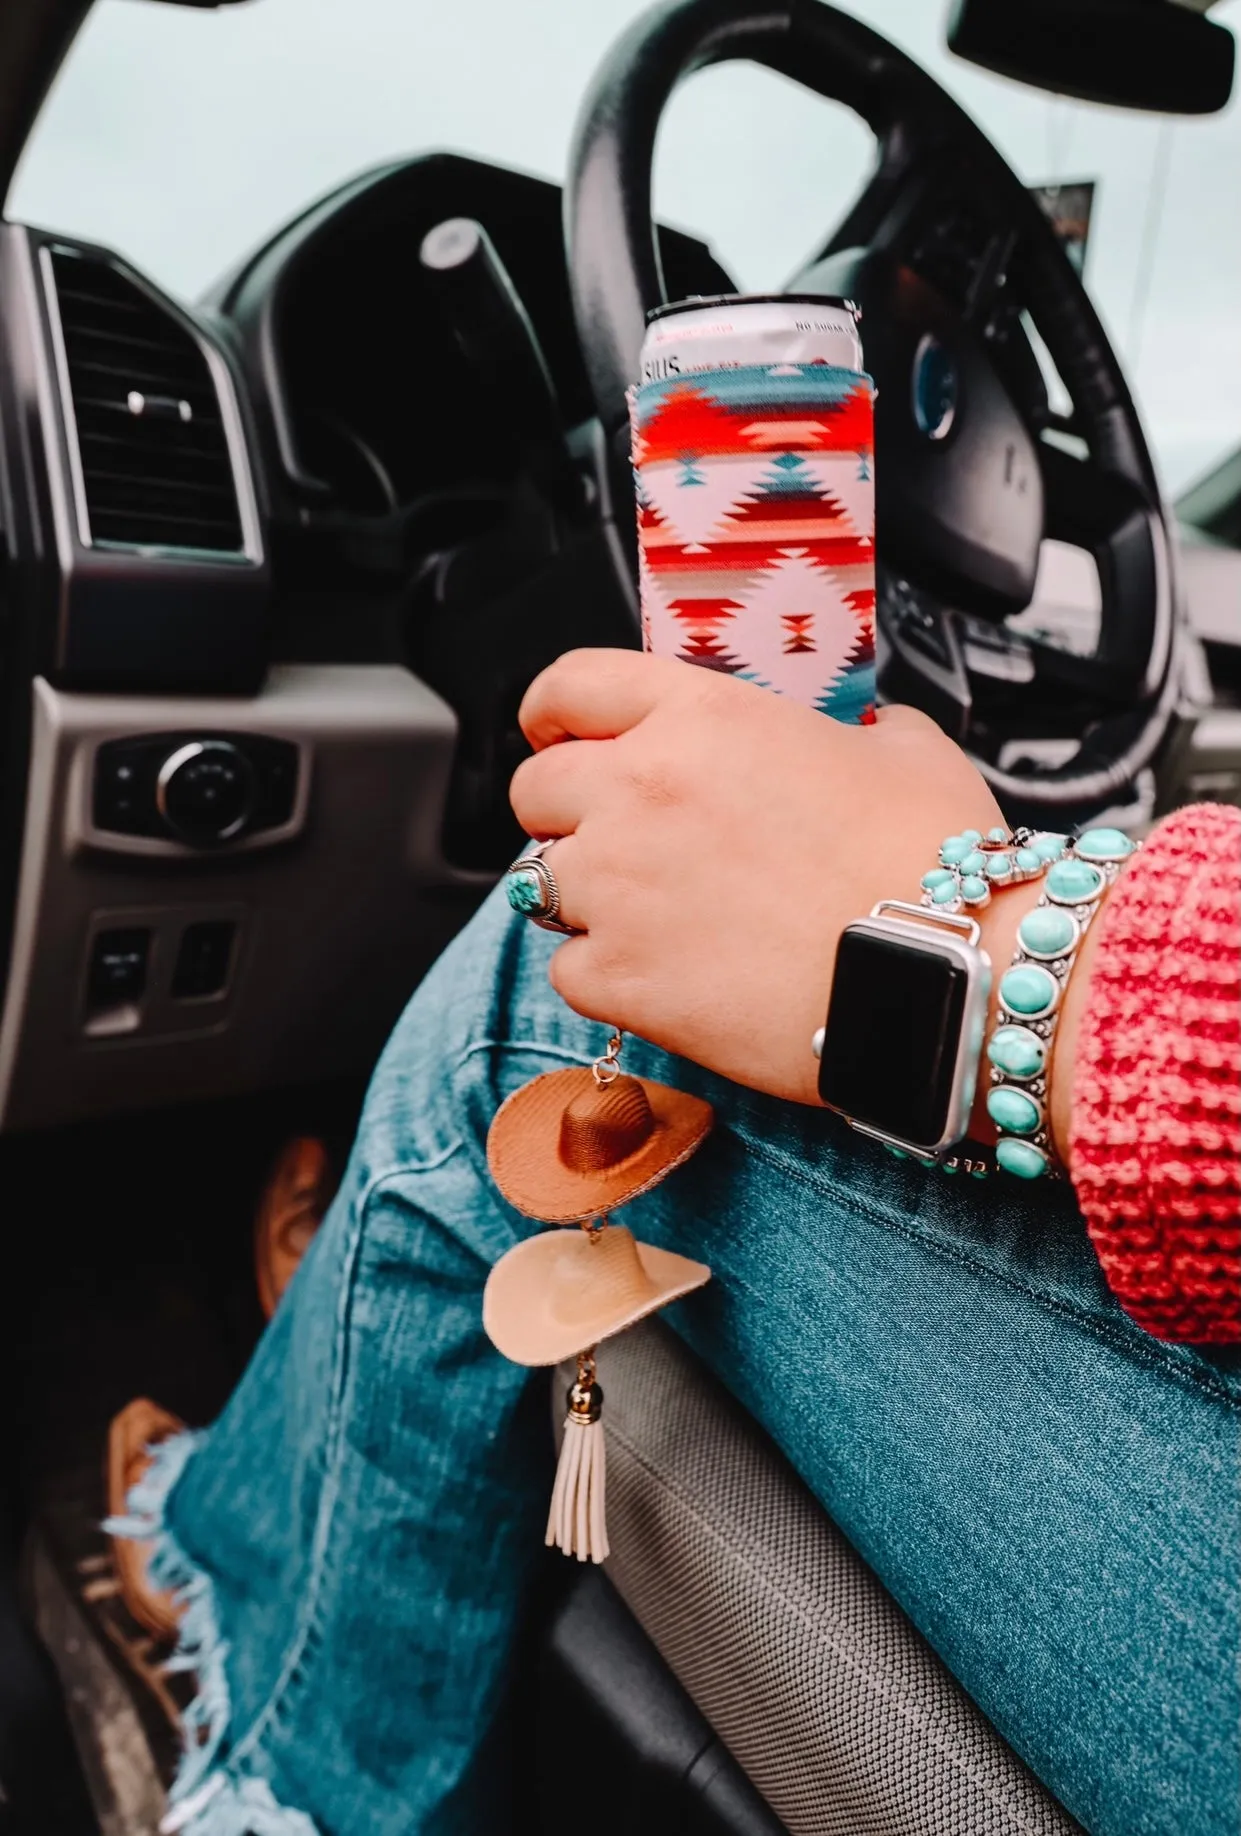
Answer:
(350, 357)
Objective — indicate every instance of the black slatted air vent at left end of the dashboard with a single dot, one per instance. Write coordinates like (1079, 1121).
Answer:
(155, 458)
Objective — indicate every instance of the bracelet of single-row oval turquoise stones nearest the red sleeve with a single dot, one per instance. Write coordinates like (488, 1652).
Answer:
(1033, 991)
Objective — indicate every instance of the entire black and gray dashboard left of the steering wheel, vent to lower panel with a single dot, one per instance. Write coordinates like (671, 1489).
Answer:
(276, 574)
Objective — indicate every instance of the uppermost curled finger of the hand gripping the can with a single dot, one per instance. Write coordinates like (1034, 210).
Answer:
(596, 695)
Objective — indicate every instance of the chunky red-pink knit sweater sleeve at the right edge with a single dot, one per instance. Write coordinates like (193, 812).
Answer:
(1156, 1143)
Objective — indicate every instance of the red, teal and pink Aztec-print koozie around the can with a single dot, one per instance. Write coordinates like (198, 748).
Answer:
(755, 513)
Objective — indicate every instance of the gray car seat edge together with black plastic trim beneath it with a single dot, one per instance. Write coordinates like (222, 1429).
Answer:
(741, 1670)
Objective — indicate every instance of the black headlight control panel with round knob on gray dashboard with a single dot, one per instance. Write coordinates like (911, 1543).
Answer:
(203, 790)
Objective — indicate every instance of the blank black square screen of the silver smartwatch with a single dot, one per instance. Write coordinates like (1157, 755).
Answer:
(893, 1036)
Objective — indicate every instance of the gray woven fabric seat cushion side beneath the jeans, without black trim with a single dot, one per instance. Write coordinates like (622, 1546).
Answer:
(814, 1679)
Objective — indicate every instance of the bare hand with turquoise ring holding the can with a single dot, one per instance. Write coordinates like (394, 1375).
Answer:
(717, 840)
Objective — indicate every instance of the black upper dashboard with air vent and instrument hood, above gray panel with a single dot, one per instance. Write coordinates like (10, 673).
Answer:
(319, 401)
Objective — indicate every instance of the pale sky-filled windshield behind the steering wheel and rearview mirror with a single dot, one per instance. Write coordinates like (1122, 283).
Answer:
(184, 137)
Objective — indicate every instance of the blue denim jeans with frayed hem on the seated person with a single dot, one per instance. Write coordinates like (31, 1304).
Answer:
(1049, 1494)
